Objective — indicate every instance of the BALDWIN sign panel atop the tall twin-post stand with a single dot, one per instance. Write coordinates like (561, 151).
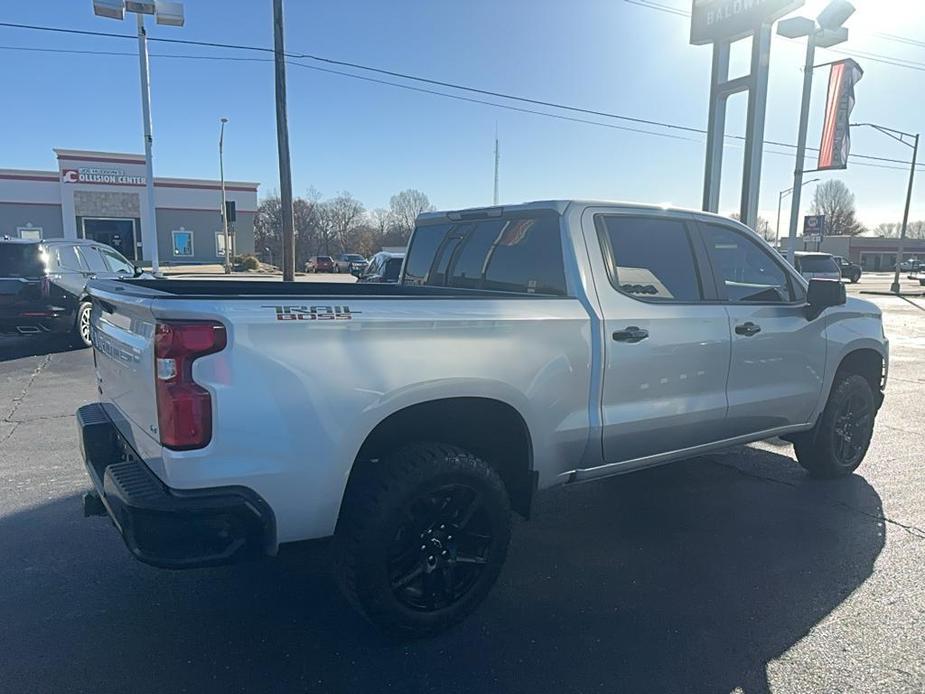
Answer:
(728, 20)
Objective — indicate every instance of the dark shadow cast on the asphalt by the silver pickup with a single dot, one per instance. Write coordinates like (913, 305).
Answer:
(684, 578)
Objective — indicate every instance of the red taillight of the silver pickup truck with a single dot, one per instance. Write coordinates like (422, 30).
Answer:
(184, 408)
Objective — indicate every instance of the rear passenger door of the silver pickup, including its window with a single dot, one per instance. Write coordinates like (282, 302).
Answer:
(666, 351)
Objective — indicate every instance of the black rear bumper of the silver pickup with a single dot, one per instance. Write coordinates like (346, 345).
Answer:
(166, 527)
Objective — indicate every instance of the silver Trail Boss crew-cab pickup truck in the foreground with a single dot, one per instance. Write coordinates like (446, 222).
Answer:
(526, 346)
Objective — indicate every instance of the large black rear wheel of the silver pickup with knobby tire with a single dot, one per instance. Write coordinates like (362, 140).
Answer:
(421, 538)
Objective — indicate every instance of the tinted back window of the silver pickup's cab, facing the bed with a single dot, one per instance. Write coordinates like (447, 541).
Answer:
(519, 254)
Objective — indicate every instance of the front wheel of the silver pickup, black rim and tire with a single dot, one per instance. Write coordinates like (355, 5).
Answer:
(839, 442)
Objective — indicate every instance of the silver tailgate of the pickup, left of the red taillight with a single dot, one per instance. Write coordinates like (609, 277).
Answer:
(123, 344)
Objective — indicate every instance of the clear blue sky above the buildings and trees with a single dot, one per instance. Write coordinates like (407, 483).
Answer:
(374, 140)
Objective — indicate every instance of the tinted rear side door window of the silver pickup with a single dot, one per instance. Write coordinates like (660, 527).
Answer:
(651, 257)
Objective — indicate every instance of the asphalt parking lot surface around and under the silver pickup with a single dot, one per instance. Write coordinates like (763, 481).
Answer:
(728, 573)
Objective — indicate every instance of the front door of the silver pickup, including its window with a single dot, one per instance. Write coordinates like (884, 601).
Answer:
(778, 355)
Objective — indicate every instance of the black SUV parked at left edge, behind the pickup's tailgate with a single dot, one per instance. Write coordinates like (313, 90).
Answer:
(43, 284)
